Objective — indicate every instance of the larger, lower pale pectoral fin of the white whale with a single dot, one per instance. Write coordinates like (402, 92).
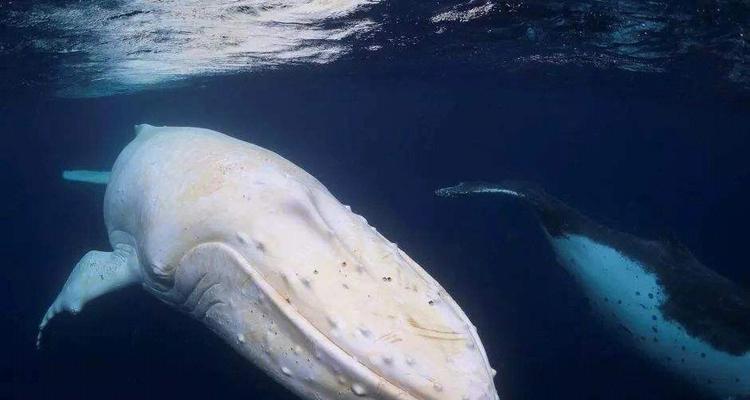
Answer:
(96, 274)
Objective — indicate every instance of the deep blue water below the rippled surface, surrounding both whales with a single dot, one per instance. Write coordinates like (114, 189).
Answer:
(651, 154)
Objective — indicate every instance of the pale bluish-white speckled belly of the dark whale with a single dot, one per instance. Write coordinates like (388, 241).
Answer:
(626, 294)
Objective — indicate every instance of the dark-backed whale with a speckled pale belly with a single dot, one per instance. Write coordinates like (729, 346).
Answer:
(681, 314)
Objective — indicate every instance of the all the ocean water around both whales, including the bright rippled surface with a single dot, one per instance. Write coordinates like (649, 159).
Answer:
(636, 113)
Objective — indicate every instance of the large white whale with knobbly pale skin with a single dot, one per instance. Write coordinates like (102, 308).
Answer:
(260, 252)
